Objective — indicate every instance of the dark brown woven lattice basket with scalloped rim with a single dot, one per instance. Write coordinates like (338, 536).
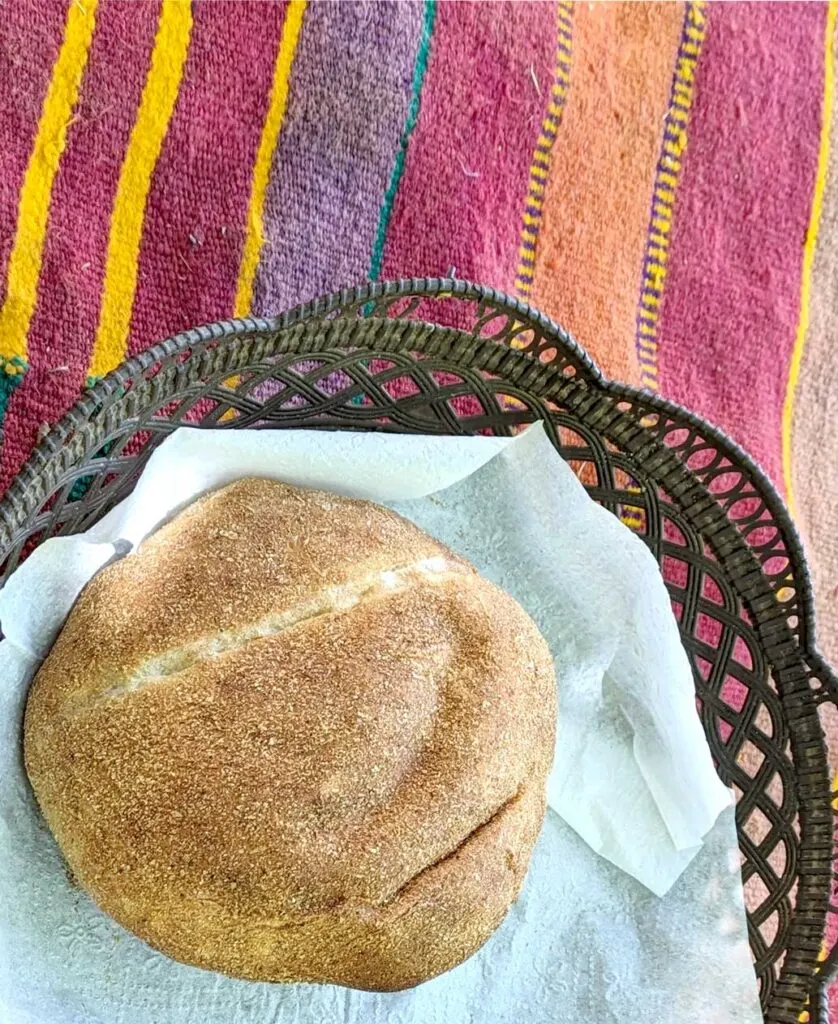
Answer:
(449, 357)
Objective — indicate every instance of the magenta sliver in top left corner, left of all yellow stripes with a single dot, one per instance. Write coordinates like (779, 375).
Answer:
(30, 38)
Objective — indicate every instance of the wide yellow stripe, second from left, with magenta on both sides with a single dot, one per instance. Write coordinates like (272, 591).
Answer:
(154, 114)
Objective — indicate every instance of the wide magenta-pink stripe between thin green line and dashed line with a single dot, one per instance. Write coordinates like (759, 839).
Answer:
(463, 193)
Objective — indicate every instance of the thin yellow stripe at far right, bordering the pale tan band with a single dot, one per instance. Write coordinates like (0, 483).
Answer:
(809, 252)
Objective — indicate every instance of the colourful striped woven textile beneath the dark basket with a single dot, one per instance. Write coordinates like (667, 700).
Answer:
(661, 179)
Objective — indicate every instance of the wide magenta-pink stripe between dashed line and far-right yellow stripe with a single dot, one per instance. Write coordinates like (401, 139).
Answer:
(732, 296)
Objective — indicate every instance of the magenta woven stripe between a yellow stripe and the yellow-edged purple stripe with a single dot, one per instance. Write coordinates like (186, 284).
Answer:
(197, 207)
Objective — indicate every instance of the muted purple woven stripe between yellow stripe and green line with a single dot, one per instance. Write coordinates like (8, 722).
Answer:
(351, 87)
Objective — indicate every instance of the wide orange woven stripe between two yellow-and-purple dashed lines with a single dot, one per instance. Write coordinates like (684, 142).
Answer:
(597, 205)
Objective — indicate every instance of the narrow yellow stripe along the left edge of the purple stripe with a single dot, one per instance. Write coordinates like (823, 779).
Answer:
(255, 240)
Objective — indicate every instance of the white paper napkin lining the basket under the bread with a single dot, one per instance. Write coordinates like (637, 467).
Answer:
(633, 776)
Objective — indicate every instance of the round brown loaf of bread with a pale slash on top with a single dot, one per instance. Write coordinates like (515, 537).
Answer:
(295, 739)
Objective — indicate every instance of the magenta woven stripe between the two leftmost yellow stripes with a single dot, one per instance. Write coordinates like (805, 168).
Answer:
(63, 329)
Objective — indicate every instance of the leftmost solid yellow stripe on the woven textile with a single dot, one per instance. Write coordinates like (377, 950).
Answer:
(36, 192)
